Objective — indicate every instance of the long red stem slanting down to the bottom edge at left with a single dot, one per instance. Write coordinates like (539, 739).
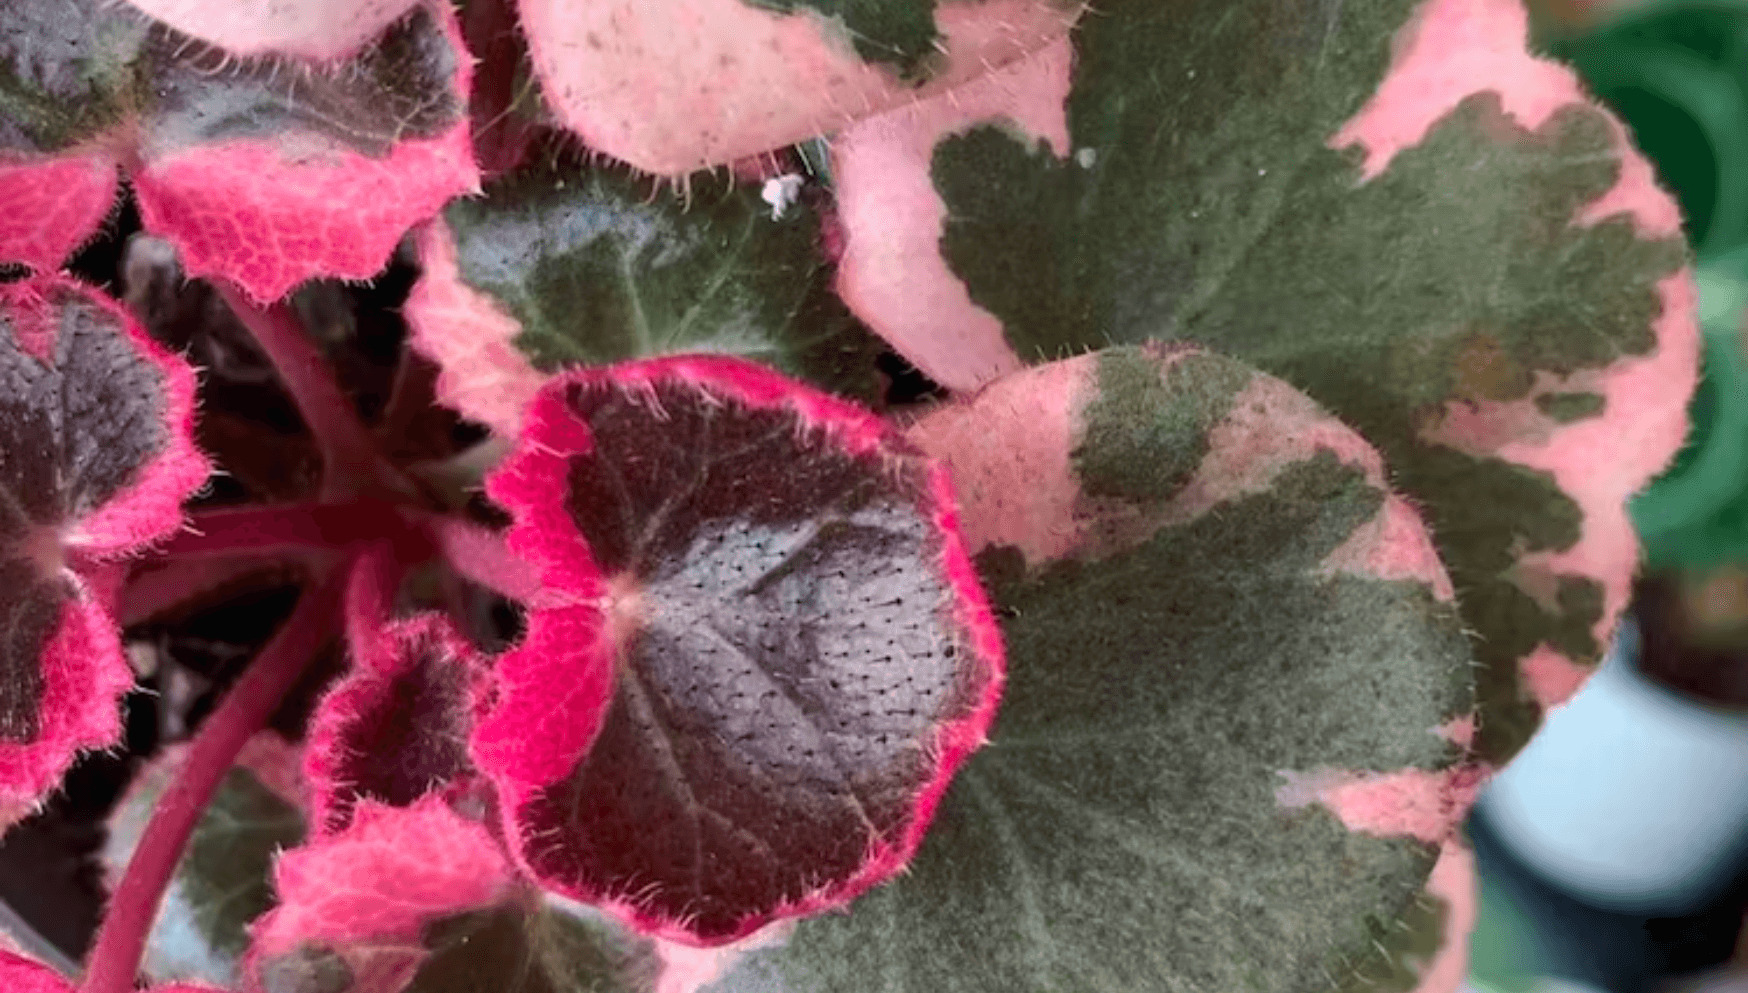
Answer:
(244, 711)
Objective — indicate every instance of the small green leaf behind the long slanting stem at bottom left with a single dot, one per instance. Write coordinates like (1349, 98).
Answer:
(223, 880)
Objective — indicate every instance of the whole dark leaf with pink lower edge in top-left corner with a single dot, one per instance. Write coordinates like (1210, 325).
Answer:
(267, 170)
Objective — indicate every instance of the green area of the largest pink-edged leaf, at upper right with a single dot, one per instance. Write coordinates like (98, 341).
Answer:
(1205, 202)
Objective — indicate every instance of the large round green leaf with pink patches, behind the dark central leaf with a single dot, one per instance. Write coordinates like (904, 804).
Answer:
(1217, 761)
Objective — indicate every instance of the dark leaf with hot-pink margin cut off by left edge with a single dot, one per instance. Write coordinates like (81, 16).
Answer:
(95, 462)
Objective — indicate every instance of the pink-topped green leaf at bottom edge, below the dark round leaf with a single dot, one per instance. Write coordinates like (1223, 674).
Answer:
(422, 901)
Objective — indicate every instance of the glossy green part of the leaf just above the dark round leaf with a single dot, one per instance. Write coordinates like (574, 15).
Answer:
(599, 267)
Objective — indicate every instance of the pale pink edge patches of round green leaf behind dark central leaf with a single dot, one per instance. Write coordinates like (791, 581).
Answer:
(1011, 448)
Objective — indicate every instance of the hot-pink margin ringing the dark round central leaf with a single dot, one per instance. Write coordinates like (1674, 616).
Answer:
(532, 739)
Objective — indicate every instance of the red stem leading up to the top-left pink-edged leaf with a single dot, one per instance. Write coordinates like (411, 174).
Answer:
(350, 459)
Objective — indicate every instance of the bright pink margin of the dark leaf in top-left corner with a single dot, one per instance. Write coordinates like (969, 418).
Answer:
(335, 214)
